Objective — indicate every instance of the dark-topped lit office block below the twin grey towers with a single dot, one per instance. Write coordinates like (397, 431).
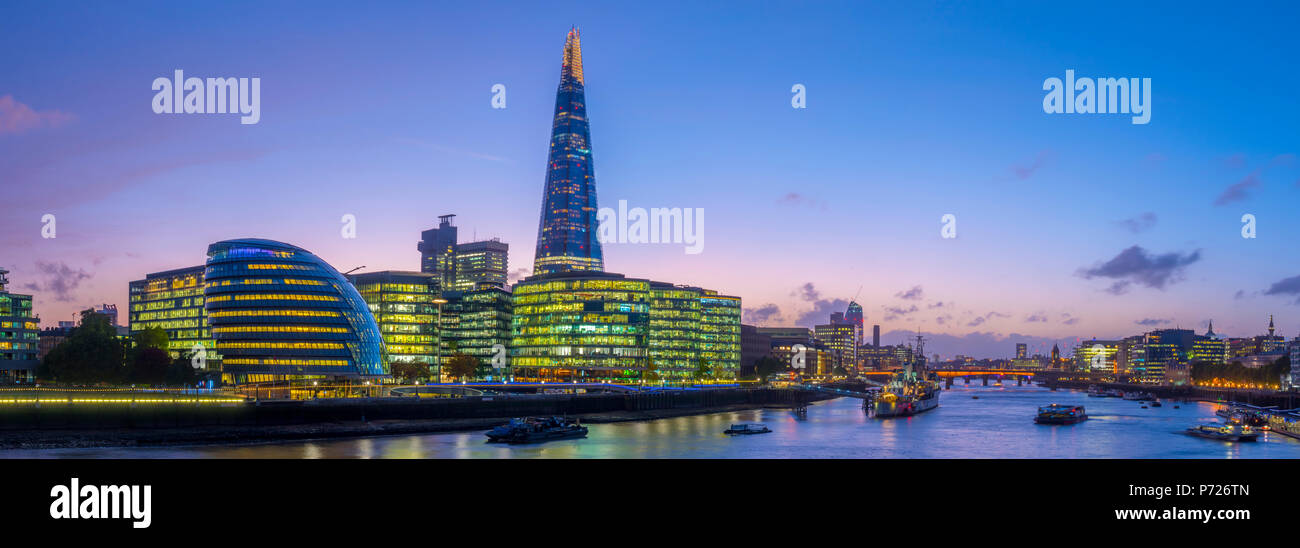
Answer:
(479, 324)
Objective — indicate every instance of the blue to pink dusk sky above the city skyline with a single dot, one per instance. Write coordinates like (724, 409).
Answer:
(1068, 227)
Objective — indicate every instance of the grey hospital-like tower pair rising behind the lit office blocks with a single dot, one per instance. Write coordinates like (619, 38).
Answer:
(462, 267)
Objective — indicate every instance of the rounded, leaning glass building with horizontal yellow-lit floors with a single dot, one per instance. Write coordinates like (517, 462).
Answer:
(280, 312)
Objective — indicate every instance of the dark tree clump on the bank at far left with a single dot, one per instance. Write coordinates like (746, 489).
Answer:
(92, 355)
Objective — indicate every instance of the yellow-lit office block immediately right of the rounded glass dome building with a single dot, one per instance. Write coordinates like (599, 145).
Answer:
(404, 305)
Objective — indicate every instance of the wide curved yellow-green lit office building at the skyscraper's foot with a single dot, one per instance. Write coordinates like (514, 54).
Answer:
(604, 327)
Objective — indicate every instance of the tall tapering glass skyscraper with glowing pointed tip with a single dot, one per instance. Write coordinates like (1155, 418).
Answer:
(567, 234)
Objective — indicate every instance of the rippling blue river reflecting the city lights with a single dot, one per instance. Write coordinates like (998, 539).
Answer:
(999, 424)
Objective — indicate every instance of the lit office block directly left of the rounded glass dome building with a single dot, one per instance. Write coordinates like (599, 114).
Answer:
(172, 301)
